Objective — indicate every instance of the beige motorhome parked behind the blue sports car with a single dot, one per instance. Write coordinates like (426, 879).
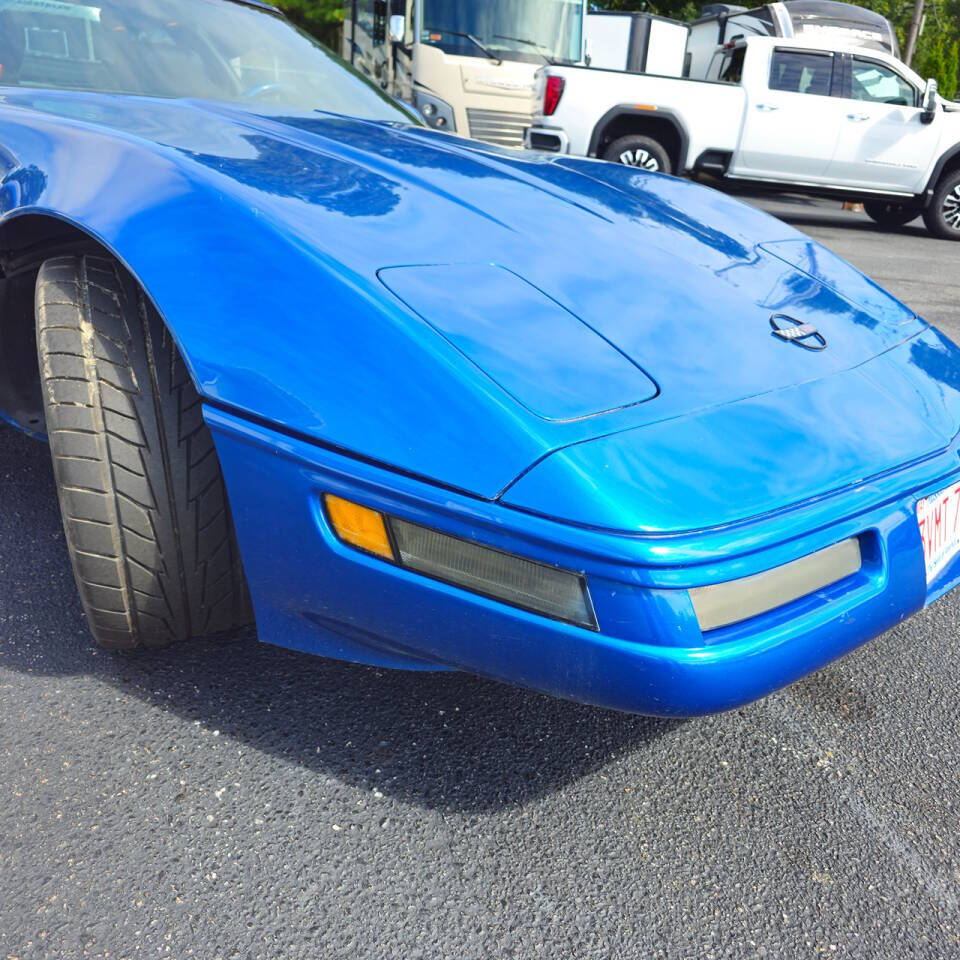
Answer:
(468, 65)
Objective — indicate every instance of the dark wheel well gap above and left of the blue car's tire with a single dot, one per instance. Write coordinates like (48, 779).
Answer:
(26, 241)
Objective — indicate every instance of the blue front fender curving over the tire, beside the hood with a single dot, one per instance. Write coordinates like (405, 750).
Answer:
(268, 324)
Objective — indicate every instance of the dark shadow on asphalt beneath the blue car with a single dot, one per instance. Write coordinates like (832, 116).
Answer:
(440, 740)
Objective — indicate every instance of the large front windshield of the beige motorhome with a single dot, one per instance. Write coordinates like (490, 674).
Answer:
(531, 30)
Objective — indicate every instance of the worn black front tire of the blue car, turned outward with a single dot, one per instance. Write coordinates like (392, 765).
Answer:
(144, 506)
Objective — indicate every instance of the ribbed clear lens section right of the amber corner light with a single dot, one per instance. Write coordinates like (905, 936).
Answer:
(521, 583)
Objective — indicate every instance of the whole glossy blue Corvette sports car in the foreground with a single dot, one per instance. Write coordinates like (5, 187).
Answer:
(410, 401)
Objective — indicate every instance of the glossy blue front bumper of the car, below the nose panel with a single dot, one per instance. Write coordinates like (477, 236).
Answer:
(314, 594)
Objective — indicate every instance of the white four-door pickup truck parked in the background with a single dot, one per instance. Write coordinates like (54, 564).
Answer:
(817, 118)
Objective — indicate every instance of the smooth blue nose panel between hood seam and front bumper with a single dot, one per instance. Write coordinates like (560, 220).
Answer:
(761, 455)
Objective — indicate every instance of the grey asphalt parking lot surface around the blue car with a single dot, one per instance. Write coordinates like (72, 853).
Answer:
(232, 800)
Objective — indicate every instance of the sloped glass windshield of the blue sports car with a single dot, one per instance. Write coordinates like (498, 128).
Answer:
(208, 49)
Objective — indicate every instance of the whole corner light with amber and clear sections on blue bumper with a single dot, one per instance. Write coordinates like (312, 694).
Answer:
(558, 594)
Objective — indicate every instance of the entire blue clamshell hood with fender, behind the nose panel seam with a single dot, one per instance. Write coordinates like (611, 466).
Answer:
(629, 300)
